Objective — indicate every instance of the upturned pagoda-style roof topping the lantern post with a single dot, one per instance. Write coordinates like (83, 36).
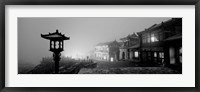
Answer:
(55, 36)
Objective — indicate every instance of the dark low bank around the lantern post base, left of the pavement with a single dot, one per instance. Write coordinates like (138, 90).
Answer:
(67, 66)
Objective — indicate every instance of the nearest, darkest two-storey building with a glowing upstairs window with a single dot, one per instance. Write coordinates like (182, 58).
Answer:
(162, 43)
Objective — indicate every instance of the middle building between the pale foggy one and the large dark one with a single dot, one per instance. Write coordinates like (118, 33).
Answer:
(129, 49)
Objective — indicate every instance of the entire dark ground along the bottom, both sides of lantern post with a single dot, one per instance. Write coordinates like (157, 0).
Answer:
(71, 66)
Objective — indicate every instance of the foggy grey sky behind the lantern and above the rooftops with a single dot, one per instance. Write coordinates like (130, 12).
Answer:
(84, 34)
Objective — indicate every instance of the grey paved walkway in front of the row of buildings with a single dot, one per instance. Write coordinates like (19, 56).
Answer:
(130, 70)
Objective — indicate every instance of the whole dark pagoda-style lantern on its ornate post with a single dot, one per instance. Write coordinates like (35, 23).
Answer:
(56, 46)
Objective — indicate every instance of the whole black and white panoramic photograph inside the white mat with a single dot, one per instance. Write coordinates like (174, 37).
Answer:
(99, 45)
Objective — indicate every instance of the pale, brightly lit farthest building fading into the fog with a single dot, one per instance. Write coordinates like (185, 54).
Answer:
(108, 51)
